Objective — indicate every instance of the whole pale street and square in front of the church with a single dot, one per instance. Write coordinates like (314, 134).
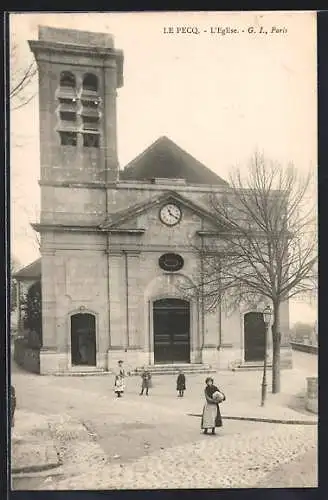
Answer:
(154, 442)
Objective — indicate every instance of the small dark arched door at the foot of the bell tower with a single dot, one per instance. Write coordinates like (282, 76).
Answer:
(83, 339)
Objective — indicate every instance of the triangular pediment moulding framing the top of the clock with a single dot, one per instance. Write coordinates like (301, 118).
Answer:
(123, 217)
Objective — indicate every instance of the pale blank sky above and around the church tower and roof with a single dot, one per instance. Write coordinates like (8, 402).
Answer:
(220, 97)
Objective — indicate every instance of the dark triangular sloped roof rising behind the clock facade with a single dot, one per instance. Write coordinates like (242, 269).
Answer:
(165, 159)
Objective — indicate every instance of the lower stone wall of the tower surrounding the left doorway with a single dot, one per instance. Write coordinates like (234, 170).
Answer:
(74, 281)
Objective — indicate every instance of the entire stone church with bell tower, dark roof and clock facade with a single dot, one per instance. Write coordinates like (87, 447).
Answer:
(117, 245)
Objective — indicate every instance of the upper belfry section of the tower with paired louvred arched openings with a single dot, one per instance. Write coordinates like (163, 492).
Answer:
(79, 73)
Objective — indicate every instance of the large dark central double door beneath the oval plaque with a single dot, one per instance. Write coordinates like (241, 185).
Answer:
(171, 331)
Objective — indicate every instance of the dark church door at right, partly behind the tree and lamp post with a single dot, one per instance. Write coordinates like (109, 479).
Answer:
(254, 330)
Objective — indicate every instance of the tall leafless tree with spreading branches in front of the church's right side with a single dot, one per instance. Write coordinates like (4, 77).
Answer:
(266, 248)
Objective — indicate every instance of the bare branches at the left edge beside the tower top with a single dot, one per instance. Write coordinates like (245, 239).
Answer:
(22, 76)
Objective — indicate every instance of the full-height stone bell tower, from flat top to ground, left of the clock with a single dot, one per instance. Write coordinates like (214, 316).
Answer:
(79, 74)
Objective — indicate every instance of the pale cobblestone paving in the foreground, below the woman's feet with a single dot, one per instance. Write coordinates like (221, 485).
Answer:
(232, 459)
